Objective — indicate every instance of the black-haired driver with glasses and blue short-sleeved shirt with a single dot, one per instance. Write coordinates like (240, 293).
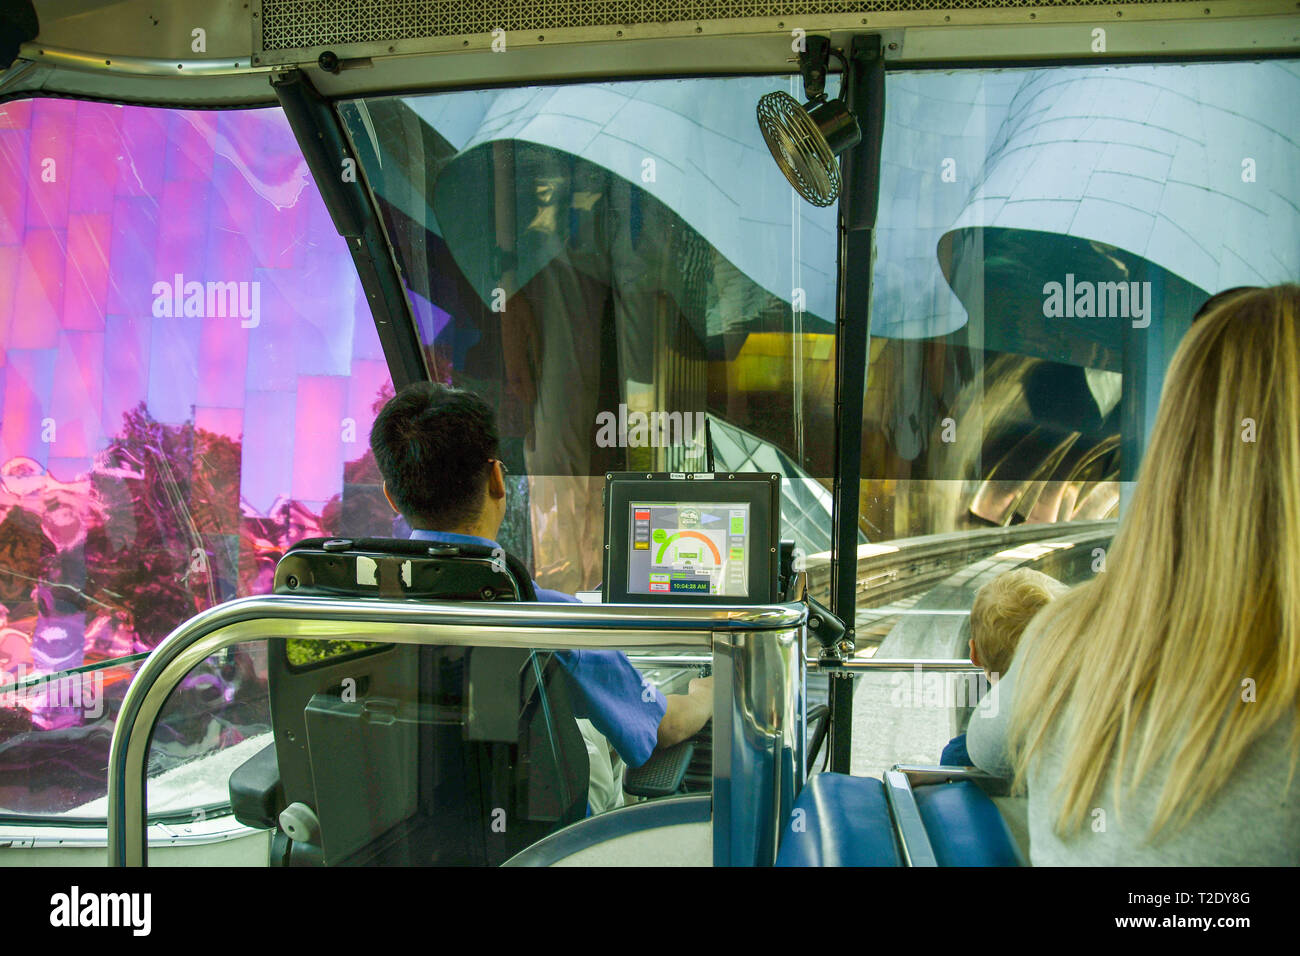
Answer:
(437, 451)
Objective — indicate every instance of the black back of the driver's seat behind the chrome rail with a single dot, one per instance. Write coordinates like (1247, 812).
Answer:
(419, 755)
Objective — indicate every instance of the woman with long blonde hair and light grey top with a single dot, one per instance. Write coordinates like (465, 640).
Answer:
(1152, 713)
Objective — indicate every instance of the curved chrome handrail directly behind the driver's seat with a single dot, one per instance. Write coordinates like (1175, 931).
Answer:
(544, 626)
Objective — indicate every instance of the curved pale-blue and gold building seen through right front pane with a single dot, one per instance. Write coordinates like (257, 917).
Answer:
(1046, 237)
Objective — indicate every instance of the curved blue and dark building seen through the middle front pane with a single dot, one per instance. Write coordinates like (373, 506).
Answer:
(609, 265)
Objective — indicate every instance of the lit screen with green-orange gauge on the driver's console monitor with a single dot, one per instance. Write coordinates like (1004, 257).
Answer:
(690, 548)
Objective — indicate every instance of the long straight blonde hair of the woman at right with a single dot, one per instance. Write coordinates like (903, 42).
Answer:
(1188, 647)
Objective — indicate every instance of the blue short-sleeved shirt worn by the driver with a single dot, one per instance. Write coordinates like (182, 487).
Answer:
(608, 690)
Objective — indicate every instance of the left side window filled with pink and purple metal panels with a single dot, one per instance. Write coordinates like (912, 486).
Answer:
(189, 373)
